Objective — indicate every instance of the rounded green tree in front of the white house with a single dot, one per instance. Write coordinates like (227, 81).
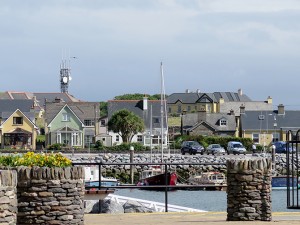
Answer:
(126, 123)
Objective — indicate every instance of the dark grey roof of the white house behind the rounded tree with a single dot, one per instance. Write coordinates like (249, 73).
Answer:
(136, 106)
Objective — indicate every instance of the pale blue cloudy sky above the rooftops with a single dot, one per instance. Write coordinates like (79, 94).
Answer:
(115, 47)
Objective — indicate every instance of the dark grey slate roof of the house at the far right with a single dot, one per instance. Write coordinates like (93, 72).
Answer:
(290, 120)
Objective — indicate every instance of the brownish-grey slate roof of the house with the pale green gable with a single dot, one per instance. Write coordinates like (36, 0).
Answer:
(83, 110)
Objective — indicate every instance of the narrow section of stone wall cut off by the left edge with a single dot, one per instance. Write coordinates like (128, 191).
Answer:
(8, 197)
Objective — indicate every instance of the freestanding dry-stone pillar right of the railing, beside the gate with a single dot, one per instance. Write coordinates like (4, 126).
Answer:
(249, 189)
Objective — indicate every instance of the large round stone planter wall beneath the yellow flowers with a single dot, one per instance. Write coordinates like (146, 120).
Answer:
(50, 195)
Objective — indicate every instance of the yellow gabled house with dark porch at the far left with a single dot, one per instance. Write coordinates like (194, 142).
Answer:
(18, 131)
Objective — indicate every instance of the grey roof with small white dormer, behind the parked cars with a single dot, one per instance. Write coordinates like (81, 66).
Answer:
(212, 119)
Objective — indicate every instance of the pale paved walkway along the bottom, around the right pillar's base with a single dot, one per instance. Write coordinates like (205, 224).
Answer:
(184, 218)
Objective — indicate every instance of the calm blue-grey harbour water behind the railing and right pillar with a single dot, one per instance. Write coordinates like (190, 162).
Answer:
(204, 200)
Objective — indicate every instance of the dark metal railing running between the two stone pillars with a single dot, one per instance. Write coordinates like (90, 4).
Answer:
(164, 187)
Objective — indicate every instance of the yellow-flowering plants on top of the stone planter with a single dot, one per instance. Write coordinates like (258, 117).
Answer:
(35, 159)
